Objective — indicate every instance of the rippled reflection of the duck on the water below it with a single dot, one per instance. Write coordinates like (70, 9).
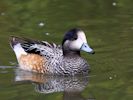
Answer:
(70, 86)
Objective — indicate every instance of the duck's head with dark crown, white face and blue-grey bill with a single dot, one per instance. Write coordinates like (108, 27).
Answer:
(75, 41)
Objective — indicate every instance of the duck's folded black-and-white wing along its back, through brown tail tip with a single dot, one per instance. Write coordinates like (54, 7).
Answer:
(43, 48)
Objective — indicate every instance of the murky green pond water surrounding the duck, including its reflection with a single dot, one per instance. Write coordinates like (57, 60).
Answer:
(108, 26)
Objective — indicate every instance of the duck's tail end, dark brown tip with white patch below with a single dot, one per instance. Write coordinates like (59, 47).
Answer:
(15, 43)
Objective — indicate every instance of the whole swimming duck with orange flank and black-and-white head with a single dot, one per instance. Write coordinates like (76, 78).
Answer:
(52, 59)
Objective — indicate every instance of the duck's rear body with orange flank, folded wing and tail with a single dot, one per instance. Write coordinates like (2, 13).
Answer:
(36, 56)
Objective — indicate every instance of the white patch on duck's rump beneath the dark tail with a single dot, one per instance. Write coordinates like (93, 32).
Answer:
(19, 50)
